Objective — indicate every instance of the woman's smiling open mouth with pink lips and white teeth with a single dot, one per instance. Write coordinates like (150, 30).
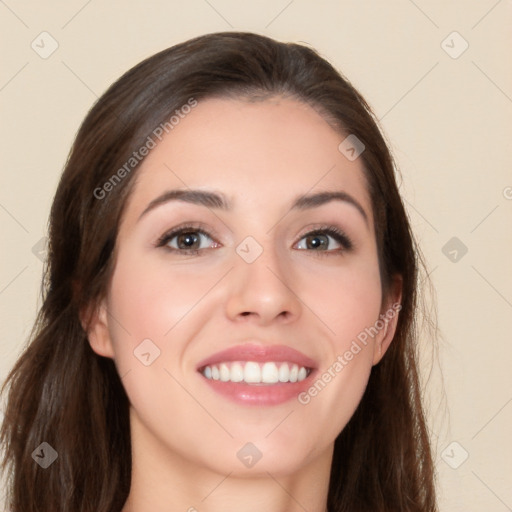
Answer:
(258, 375)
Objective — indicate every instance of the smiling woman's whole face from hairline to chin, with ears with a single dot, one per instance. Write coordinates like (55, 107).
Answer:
(246, 276)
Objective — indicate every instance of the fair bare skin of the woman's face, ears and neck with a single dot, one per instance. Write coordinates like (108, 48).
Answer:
(185, 437)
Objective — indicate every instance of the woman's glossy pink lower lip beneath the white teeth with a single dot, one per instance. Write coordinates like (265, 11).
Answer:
(260, 394)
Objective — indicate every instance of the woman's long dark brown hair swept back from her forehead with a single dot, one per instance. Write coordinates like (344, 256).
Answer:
(62, 393)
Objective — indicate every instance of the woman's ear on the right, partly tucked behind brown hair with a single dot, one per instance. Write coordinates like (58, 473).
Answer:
(388, 319)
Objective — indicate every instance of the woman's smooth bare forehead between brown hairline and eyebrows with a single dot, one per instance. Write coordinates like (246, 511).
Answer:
(263, 152)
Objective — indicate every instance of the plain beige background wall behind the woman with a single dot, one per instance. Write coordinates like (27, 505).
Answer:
(449, 121)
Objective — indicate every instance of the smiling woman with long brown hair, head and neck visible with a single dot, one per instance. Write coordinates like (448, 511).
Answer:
(228, 322)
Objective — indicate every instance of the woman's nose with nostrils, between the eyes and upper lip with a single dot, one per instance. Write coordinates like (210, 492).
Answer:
(262, 291)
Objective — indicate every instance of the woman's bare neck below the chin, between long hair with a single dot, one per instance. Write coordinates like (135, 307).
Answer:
(163, 480)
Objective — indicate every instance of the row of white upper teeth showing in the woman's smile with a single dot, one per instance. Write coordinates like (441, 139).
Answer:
(256, 373)
